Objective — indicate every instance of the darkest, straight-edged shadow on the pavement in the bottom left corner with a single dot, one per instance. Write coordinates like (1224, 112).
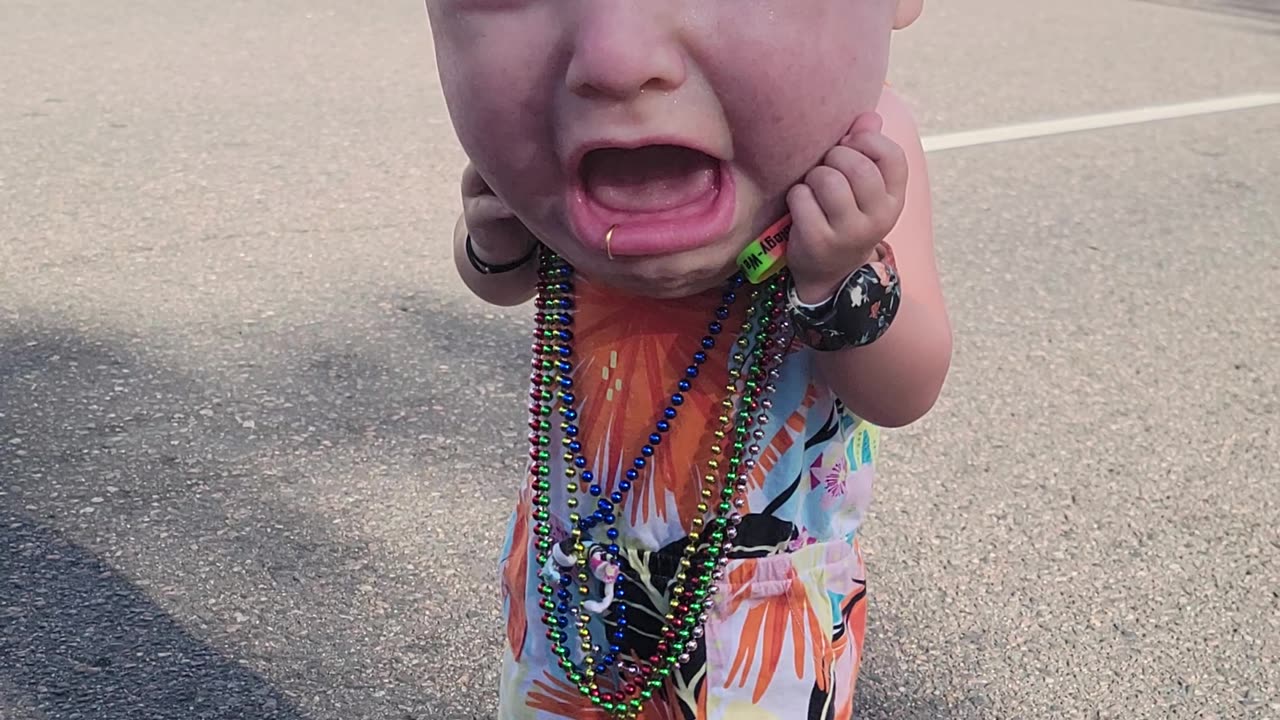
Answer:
(84, 642)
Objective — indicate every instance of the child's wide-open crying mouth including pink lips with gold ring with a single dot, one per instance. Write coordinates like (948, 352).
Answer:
(659, 199)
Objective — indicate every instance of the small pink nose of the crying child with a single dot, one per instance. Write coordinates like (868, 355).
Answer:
(624, 48)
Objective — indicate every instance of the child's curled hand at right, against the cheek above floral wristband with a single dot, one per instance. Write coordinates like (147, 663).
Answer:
(844, 208)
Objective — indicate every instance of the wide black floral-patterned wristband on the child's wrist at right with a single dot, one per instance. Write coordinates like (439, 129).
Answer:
(857, 316)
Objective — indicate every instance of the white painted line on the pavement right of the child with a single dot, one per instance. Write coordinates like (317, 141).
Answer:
(1026, 131)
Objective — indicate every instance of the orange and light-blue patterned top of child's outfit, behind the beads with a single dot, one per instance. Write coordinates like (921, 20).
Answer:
(813, 477)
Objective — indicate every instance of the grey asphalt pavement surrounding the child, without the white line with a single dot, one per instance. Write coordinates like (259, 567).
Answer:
(257, 445)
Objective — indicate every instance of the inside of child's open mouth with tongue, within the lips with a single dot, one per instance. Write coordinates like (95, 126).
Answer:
(648, 180)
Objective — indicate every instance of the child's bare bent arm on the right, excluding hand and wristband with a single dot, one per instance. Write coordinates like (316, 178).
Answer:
(897, 380)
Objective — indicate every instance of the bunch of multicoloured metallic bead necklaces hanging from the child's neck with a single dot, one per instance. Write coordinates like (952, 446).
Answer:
(758, 353)
